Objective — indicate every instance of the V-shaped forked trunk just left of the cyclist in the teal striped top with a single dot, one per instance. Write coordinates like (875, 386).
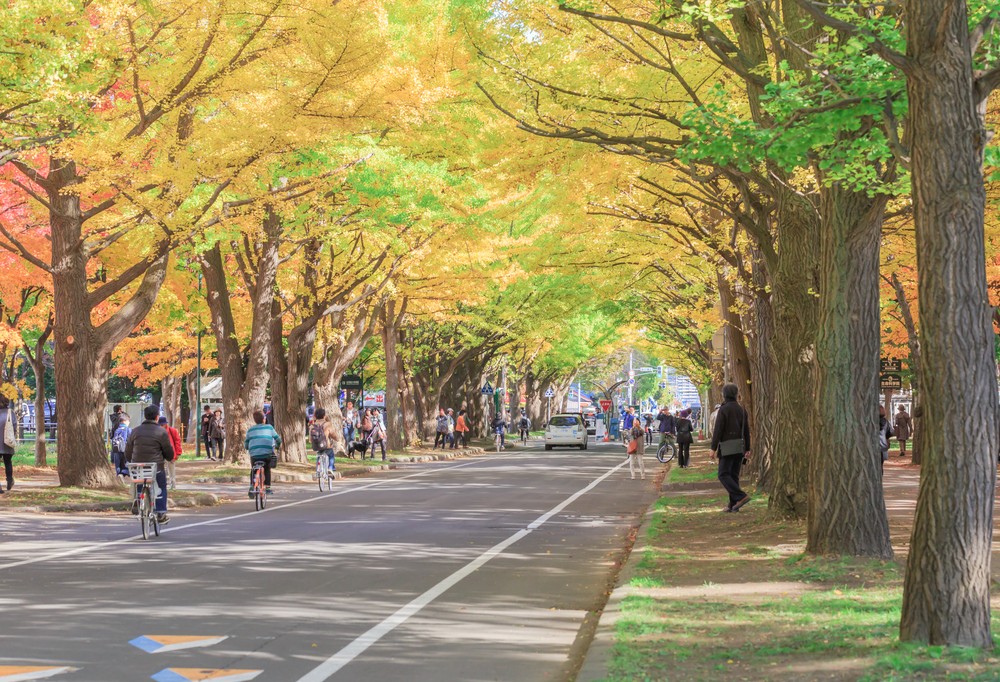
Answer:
(243, 388)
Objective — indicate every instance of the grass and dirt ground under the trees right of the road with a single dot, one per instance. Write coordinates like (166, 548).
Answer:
(710, 596)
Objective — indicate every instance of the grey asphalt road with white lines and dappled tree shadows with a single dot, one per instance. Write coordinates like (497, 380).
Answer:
(477, 569)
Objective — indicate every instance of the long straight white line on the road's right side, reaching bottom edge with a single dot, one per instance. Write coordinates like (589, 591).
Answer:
(332, 665)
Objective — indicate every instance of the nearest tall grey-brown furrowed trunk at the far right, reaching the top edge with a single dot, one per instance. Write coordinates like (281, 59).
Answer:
(946, 594)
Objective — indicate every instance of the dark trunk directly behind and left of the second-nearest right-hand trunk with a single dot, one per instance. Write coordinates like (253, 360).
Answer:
(793, 281)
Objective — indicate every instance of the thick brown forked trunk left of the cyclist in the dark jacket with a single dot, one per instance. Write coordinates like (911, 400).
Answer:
(83, 351)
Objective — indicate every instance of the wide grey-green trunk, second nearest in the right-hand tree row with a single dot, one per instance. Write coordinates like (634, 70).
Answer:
(847, 514)
